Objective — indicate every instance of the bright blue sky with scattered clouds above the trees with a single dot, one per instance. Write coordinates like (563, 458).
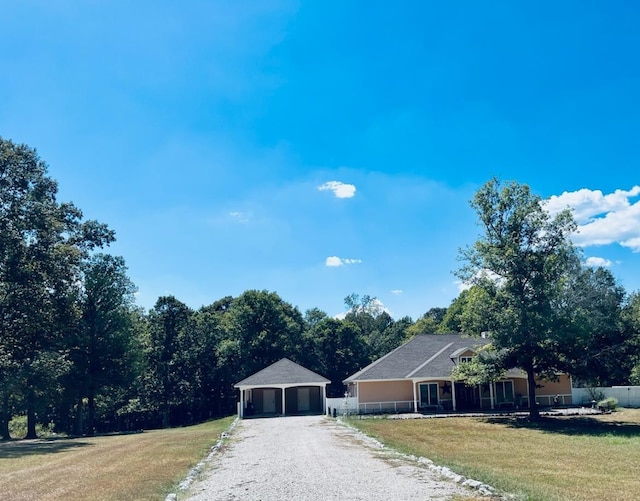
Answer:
(323, 148)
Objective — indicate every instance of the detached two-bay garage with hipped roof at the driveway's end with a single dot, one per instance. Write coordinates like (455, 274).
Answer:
(282, 389)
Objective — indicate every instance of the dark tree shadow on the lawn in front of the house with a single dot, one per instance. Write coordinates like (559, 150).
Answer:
(587, 426)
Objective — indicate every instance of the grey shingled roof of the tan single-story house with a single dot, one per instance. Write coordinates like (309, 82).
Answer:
(423, 356)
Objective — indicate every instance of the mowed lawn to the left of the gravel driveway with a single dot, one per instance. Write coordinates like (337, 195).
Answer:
(141, 466)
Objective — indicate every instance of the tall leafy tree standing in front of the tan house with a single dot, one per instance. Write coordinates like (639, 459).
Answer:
(521, 263)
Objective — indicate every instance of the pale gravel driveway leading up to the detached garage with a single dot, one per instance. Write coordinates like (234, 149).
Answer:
(314, 458)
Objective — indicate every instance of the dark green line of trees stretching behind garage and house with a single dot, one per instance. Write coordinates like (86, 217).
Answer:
(78, 355)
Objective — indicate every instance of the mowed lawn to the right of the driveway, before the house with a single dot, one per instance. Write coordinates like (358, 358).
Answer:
(568, 458)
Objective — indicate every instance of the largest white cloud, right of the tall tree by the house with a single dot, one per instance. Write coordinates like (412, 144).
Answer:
(602, 219)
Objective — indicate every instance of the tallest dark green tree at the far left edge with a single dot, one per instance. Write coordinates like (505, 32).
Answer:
(42, 243)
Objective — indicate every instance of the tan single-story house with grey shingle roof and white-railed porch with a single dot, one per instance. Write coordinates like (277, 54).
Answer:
(417, 377)
